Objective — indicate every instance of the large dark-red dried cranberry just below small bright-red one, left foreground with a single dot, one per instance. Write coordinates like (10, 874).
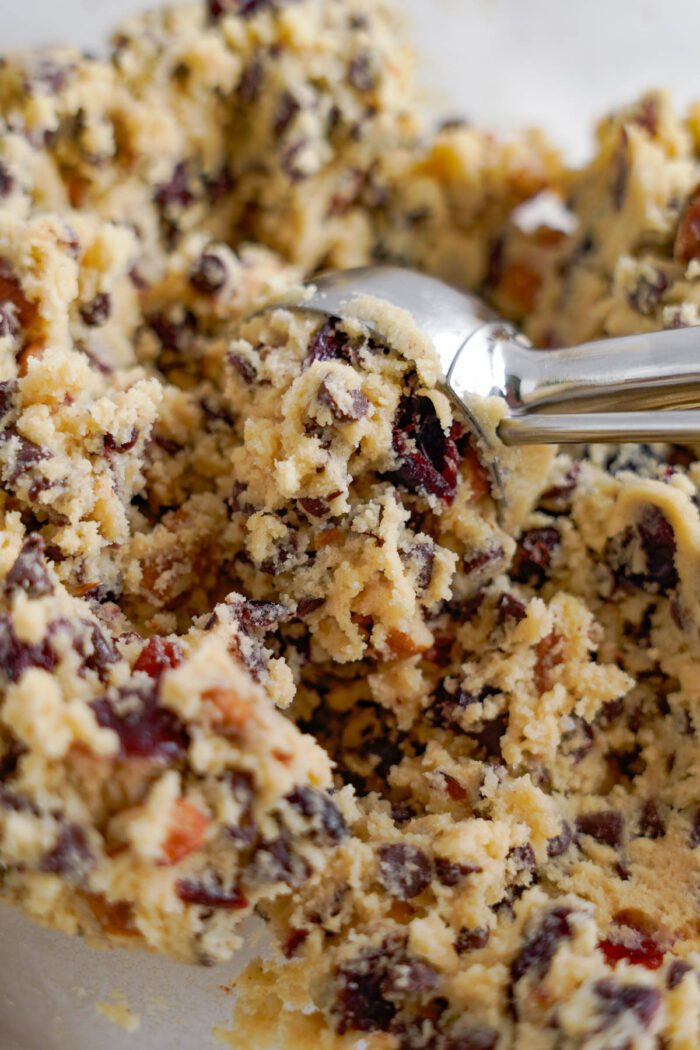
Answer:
(145, 729)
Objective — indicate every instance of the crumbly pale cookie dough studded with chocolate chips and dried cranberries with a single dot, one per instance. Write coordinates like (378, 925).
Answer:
(265, 642)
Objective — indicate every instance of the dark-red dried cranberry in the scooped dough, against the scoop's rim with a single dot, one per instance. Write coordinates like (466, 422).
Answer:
(429, 459)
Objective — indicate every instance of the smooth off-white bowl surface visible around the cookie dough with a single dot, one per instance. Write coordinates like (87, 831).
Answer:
(505, 62)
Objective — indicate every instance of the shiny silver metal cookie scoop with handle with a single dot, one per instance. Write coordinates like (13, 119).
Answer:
(625, 390)
